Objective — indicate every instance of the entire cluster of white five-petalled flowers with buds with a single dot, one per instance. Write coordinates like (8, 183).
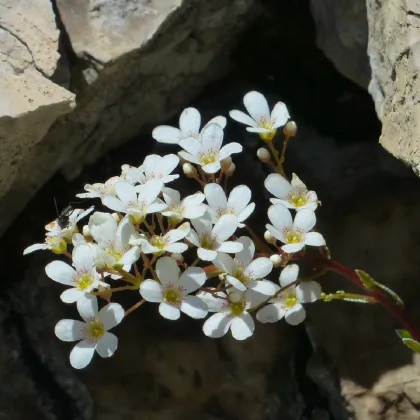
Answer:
(184, 253)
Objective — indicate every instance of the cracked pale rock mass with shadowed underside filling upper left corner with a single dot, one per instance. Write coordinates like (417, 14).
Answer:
(131, 64)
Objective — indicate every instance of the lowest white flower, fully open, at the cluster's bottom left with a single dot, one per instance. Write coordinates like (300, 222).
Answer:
(93, 333)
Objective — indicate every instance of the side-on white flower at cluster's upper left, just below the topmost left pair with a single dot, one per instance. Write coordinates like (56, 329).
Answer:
(154, 167)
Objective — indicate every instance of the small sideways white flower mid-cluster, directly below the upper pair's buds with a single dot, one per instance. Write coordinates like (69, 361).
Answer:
(190, 207)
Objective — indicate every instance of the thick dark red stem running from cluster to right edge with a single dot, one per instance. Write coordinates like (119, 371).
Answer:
(381, 298)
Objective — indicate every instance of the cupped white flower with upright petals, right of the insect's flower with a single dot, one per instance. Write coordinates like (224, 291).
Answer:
(112, 240)
